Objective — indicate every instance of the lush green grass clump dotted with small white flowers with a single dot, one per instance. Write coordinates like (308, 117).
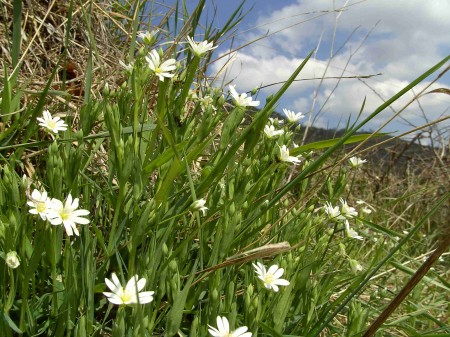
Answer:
(173, 198)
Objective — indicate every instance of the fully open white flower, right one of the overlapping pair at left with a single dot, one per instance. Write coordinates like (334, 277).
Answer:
(67, 214)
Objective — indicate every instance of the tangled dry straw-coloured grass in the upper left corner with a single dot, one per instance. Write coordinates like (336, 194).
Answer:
(44, 42)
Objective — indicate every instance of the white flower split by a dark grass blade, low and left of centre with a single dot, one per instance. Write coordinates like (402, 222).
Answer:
(131, 294)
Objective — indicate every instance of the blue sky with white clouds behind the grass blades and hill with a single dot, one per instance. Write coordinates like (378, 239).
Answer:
(392, 41)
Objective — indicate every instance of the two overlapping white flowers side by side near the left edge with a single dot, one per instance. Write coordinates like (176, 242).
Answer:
(57, 212)
